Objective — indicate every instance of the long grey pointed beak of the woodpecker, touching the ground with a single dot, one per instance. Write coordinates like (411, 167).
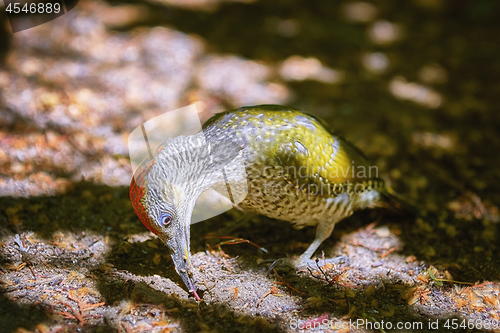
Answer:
(179, 247)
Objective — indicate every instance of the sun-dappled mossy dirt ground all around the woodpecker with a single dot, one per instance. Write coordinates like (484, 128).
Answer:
(74, 257)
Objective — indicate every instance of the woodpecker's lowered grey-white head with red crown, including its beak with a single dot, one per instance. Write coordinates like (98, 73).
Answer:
(164, 190)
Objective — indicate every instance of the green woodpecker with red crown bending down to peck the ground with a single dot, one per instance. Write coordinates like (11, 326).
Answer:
(296, 169)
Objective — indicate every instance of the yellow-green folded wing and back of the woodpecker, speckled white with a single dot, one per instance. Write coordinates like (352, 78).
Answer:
(297, 144)
